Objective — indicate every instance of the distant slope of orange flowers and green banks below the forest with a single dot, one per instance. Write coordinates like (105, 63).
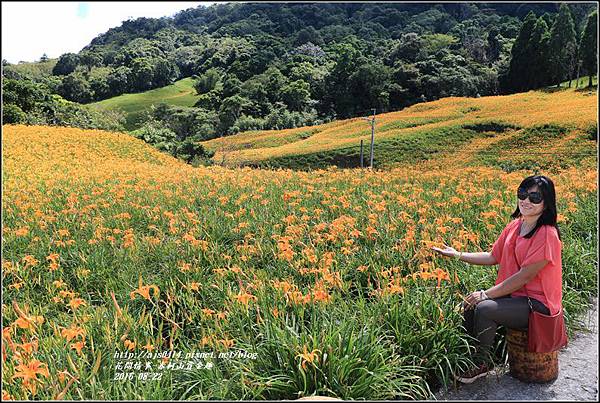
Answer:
(565, 119)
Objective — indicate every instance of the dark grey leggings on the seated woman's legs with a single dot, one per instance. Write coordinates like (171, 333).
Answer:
(482, 321)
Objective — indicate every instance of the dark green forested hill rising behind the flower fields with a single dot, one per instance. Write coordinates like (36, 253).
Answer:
(273, 66)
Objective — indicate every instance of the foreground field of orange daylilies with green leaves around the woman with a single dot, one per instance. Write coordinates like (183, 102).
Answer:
(308, 282)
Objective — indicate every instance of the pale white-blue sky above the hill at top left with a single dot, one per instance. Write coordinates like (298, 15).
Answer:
(30, 29)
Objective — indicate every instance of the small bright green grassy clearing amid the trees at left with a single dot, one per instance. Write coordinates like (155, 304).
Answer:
(180, 93)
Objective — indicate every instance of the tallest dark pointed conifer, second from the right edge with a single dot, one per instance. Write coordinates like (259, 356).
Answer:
(562, 45)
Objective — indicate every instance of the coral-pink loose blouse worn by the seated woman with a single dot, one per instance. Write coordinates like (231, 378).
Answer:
(546, 286)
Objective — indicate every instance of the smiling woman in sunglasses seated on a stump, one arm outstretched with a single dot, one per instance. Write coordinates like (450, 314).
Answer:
(529, 254)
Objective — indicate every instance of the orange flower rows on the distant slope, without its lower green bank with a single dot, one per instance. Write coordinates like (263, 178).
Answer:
(574, 109)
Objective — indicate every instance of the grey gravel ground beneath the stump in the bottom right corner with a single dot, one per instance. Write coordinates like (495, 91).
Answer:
(577, 375)
